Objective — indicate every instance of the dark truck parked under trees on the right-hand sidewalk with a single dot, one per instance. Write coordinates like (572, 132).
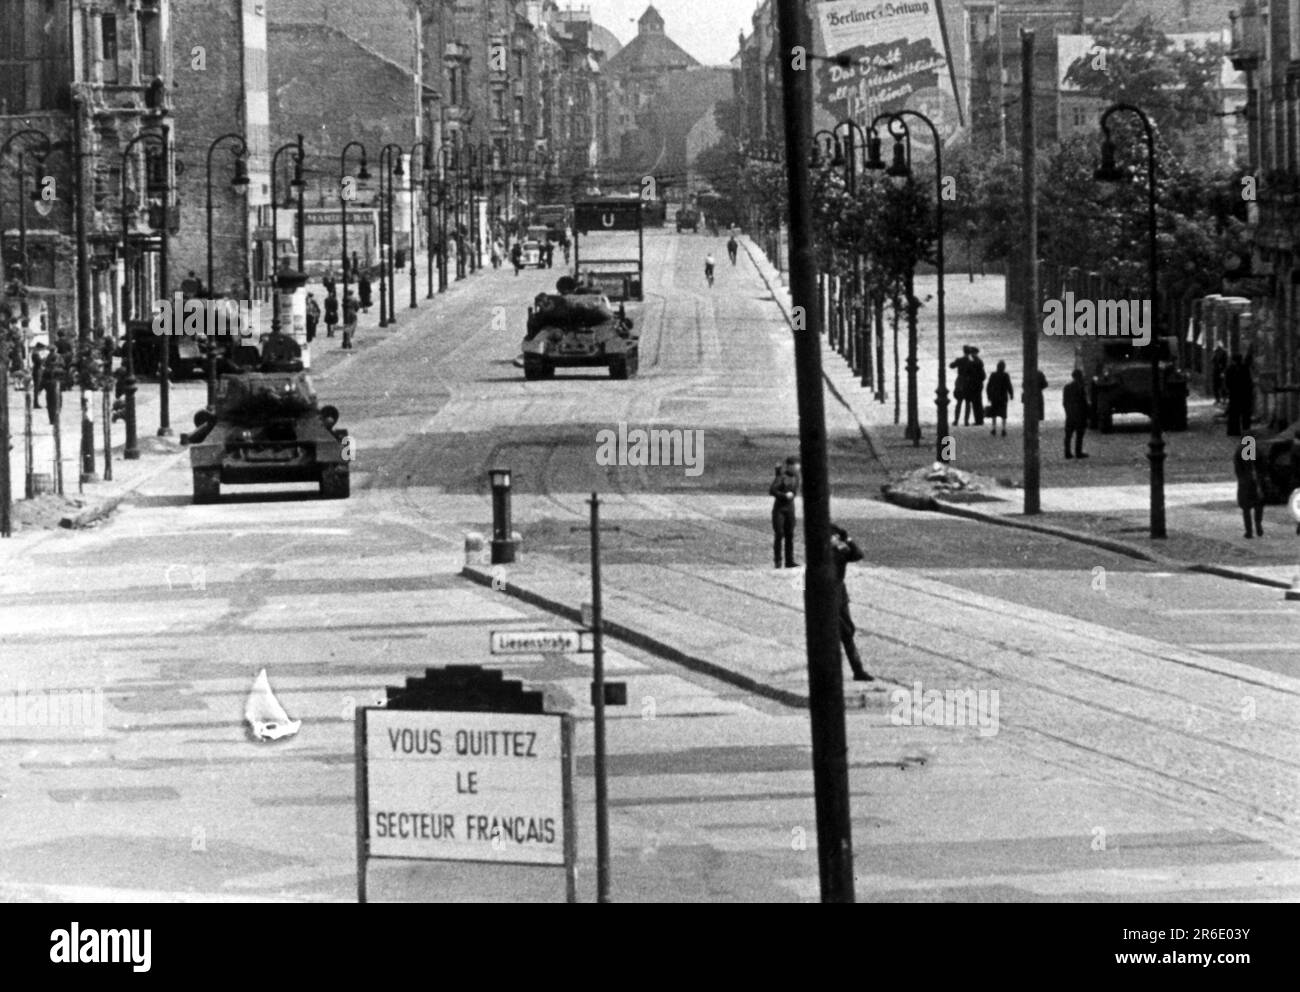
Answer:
(1119, 375)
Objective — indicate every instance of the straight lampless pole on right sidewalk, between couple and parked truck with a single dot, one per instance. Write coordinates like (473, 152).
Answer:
(1034, 398)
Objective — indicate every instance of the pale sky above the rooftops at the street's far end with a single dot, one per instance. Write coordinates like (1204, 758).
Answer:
(707, 29)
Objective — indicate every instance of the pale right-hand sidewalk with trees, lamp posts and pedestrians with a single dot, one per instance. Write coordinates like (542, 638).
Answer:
(1103, 501)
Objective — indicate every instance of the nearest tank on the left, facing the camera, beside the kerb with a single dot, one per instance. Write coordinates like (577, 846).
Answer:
(267, 427)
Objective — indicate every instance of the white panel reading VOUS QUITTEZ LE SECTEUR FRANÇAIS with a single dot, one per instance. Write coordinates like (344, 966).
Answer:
(465, 786)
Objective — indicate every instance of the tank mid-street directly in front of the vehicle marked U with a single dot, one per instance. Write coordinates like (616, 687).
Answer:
(577, 330)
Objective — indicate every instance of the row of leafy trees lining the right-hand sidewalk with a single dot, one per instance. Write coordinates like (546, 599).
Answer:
(1098, 227)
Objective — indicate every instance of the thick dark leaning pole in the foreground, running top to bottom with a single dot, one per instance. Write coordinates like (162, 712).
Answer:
(826, 679)
